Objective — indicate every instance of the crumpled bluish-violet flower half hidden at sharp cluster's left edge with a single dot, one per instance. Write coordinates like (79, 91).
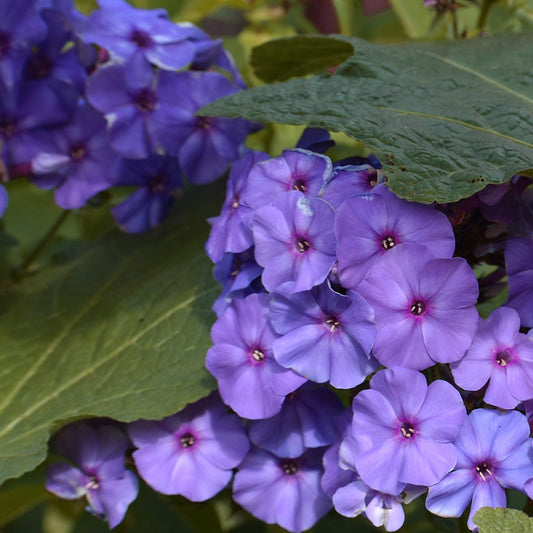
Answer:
(239, 276)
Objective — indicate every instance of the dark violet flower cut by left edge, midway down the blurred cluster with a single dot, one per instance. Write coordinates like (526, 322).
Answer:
(27, 111)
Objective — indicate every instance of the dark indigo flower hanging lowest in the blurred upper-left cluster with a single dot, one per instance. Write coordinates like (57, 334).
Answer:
(159, 180)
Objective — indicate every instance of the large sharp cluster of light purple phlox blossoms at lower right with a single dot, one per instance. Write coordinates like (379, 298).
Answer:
(328, 278)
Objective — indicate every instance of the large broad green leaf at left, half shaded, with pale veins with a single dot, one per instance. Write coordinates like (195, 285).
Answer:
(120, 331)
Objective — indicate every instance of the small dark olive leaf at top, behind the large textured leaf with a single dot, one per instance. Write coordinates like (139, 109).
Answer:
(282, 59)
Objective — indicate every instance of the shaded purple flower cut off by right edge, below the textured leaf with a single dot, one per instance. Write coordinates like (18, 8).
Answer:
(519, 264)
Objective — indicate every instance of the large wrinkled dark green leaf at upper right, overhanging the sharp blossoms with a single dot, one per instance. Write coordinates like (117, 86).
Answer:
(446, 119)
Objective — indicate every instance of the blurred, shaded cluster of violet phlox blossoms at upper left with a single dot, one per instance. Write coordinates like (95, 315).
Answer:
(89, 103)
